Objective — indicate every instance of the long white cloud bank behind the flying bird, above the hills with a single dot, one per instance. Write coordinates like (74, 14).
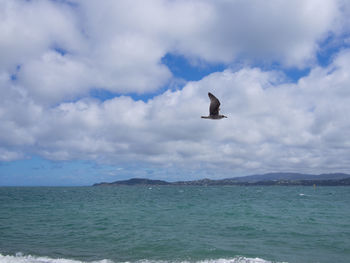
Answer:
(271, 126)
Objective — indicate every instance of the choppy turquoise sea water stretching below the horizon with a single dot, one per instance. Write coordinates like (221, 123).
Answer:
(174, 224)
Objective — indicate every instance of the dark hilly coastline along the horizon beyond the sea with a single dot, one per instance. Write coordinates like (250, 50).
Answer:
(270, 179)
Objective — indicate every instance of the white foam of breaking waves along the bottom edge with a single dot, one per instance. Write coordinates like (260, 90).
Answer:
(20, 258)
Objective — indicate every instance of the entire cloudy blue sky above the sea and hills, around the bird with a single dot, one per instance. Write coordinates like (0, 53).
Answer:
(98, 91)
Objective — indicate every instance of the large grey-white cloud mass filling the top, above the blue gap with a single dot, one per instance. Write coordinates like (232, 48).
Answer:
(118, 45)
